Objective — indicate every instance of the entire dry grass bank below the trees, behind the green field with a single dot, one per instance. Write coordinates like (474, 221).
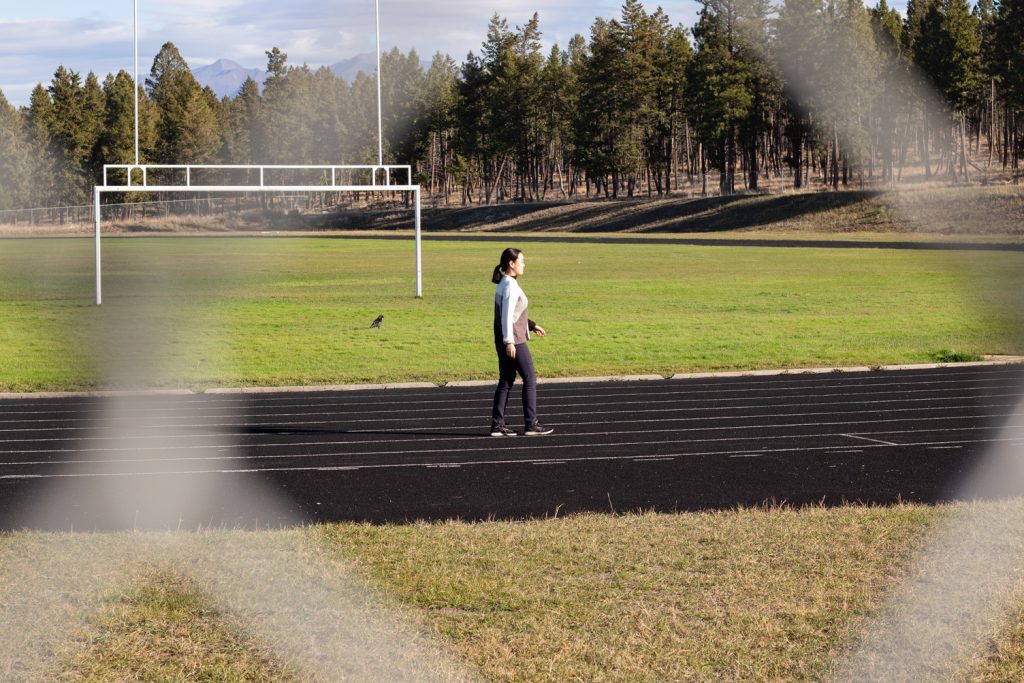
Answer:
(930, 210)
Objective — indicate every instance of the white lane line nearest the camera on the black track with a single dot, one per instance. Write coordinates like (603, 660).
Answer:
(489, 462)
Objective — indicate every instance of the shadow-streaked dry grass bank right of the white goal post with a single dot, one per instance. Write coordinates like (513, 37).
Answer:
(931, 211)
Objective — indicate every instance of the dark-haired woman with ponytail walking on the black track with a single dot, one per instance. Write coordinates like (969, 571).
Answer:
(513, 328)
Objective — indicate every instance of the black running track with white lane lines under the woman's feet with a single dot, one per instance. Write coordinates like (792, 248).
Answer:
(402, 455)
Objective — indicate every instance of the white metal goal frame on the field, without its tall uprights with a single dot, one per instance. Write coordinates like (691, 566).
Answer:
(99, 191)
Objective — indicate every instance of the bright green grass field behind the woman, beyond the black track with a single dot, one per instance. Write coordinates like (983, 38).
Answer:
(198, 312)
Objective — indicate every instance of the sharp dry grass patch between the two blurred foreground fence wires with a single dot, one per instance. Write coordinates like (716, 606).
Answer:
(752, 595)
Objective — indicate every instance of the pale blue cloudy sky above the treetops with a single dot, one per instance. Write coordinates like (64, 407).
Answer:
(97, 35)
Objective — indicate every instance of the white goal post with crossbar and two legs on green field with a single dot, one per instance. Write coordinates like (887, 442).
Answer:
(382, 173)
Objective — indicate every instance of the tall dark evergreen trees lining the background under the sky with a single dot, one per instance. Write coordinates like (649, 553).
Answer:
(755, 97)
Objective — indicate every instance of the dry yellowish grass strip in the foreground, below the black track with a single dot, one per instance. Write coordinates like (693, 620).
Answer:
(744, 595)
